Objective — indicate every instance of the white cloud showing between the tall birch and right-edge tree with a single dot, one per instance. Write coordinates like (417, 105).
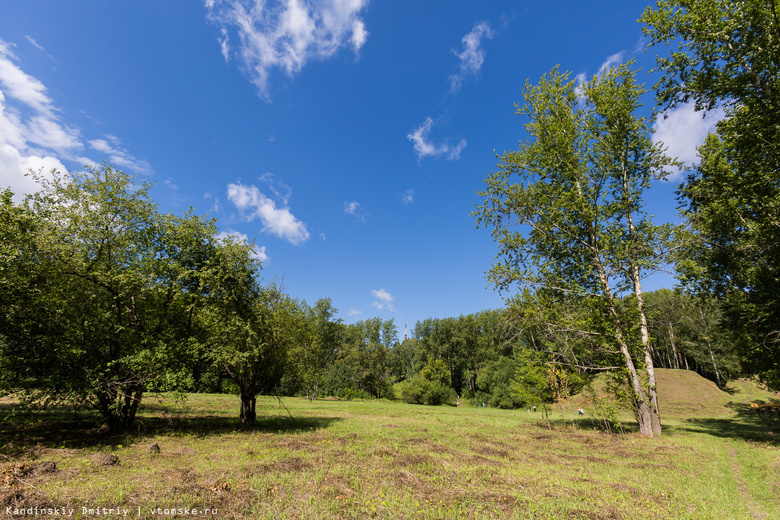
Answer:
(682, 129)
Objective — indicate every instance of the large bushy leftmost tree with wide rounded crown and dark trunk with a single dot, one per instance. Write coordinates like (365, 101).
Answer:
(109, 293)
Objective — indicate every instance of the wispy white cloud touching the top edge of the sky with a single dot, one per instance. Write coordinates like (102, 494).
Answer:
(286, 34)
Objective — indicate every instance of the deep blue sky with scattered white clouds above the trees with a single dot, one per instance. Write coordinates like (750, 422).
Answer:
(346, 138)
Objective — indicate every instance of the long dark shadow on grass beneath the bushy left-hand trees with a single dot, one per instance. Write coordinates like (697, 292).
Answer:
(25, 433)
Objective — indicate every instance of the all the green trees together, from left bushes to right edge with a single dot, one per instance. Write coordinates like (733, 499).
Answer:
(106, 299)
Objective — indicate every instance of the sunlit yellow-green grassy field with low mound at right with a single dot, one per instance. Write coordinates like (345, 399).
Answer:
(381, 459)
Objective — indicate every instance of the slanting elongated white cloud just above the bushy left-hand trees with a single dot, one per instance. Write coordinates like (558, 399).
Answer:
(278, 221)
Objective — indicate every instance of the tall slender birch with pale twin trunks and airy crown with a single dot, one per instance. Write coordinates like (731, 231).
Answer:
(566, 211)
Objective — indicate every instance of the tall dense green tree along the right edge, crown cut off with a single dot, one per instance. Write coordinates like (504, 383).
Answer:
(728, 55)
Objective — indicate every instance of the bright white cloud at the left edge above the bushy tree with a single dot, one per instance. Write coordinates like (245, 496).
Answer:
(33, 135)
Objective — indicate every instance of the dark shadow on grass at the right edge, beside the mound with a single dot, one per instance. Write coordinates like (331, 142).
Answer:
(745, 425)
